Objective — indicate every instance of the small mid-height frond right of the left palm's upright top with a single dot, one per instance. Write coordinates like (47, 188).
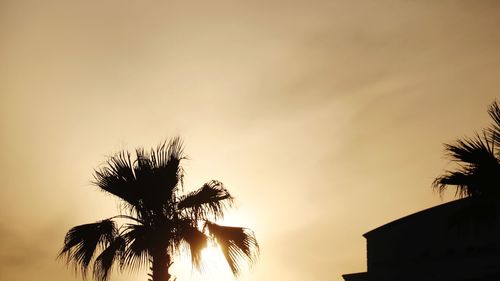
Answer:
(211, 199)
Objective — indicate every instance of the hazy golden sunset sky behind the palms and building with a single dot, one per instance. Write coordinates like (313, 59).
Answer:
(325, 119)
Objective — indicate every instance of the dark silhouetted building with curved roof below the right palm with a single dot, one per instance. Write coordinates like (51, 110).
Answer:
(456, 241)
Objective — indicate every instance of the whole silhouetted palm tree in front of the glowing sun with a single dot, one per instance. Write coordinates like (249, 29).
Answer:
(158, 220)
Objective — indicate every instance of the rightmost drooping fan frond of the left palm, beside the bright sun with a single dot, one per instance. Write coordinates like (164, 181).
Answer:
(238, 244)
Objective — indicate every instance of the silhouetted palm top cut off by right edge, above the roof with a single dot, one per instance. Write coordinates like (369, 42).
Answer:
(478, 159)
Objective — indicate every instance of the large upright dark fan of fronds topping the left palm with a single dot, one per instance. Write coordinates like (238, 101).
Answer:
(146, 181)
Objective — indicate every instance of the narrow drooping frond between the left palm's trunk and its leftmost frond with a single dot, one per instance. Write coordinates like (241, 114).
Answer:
(104, 262)
